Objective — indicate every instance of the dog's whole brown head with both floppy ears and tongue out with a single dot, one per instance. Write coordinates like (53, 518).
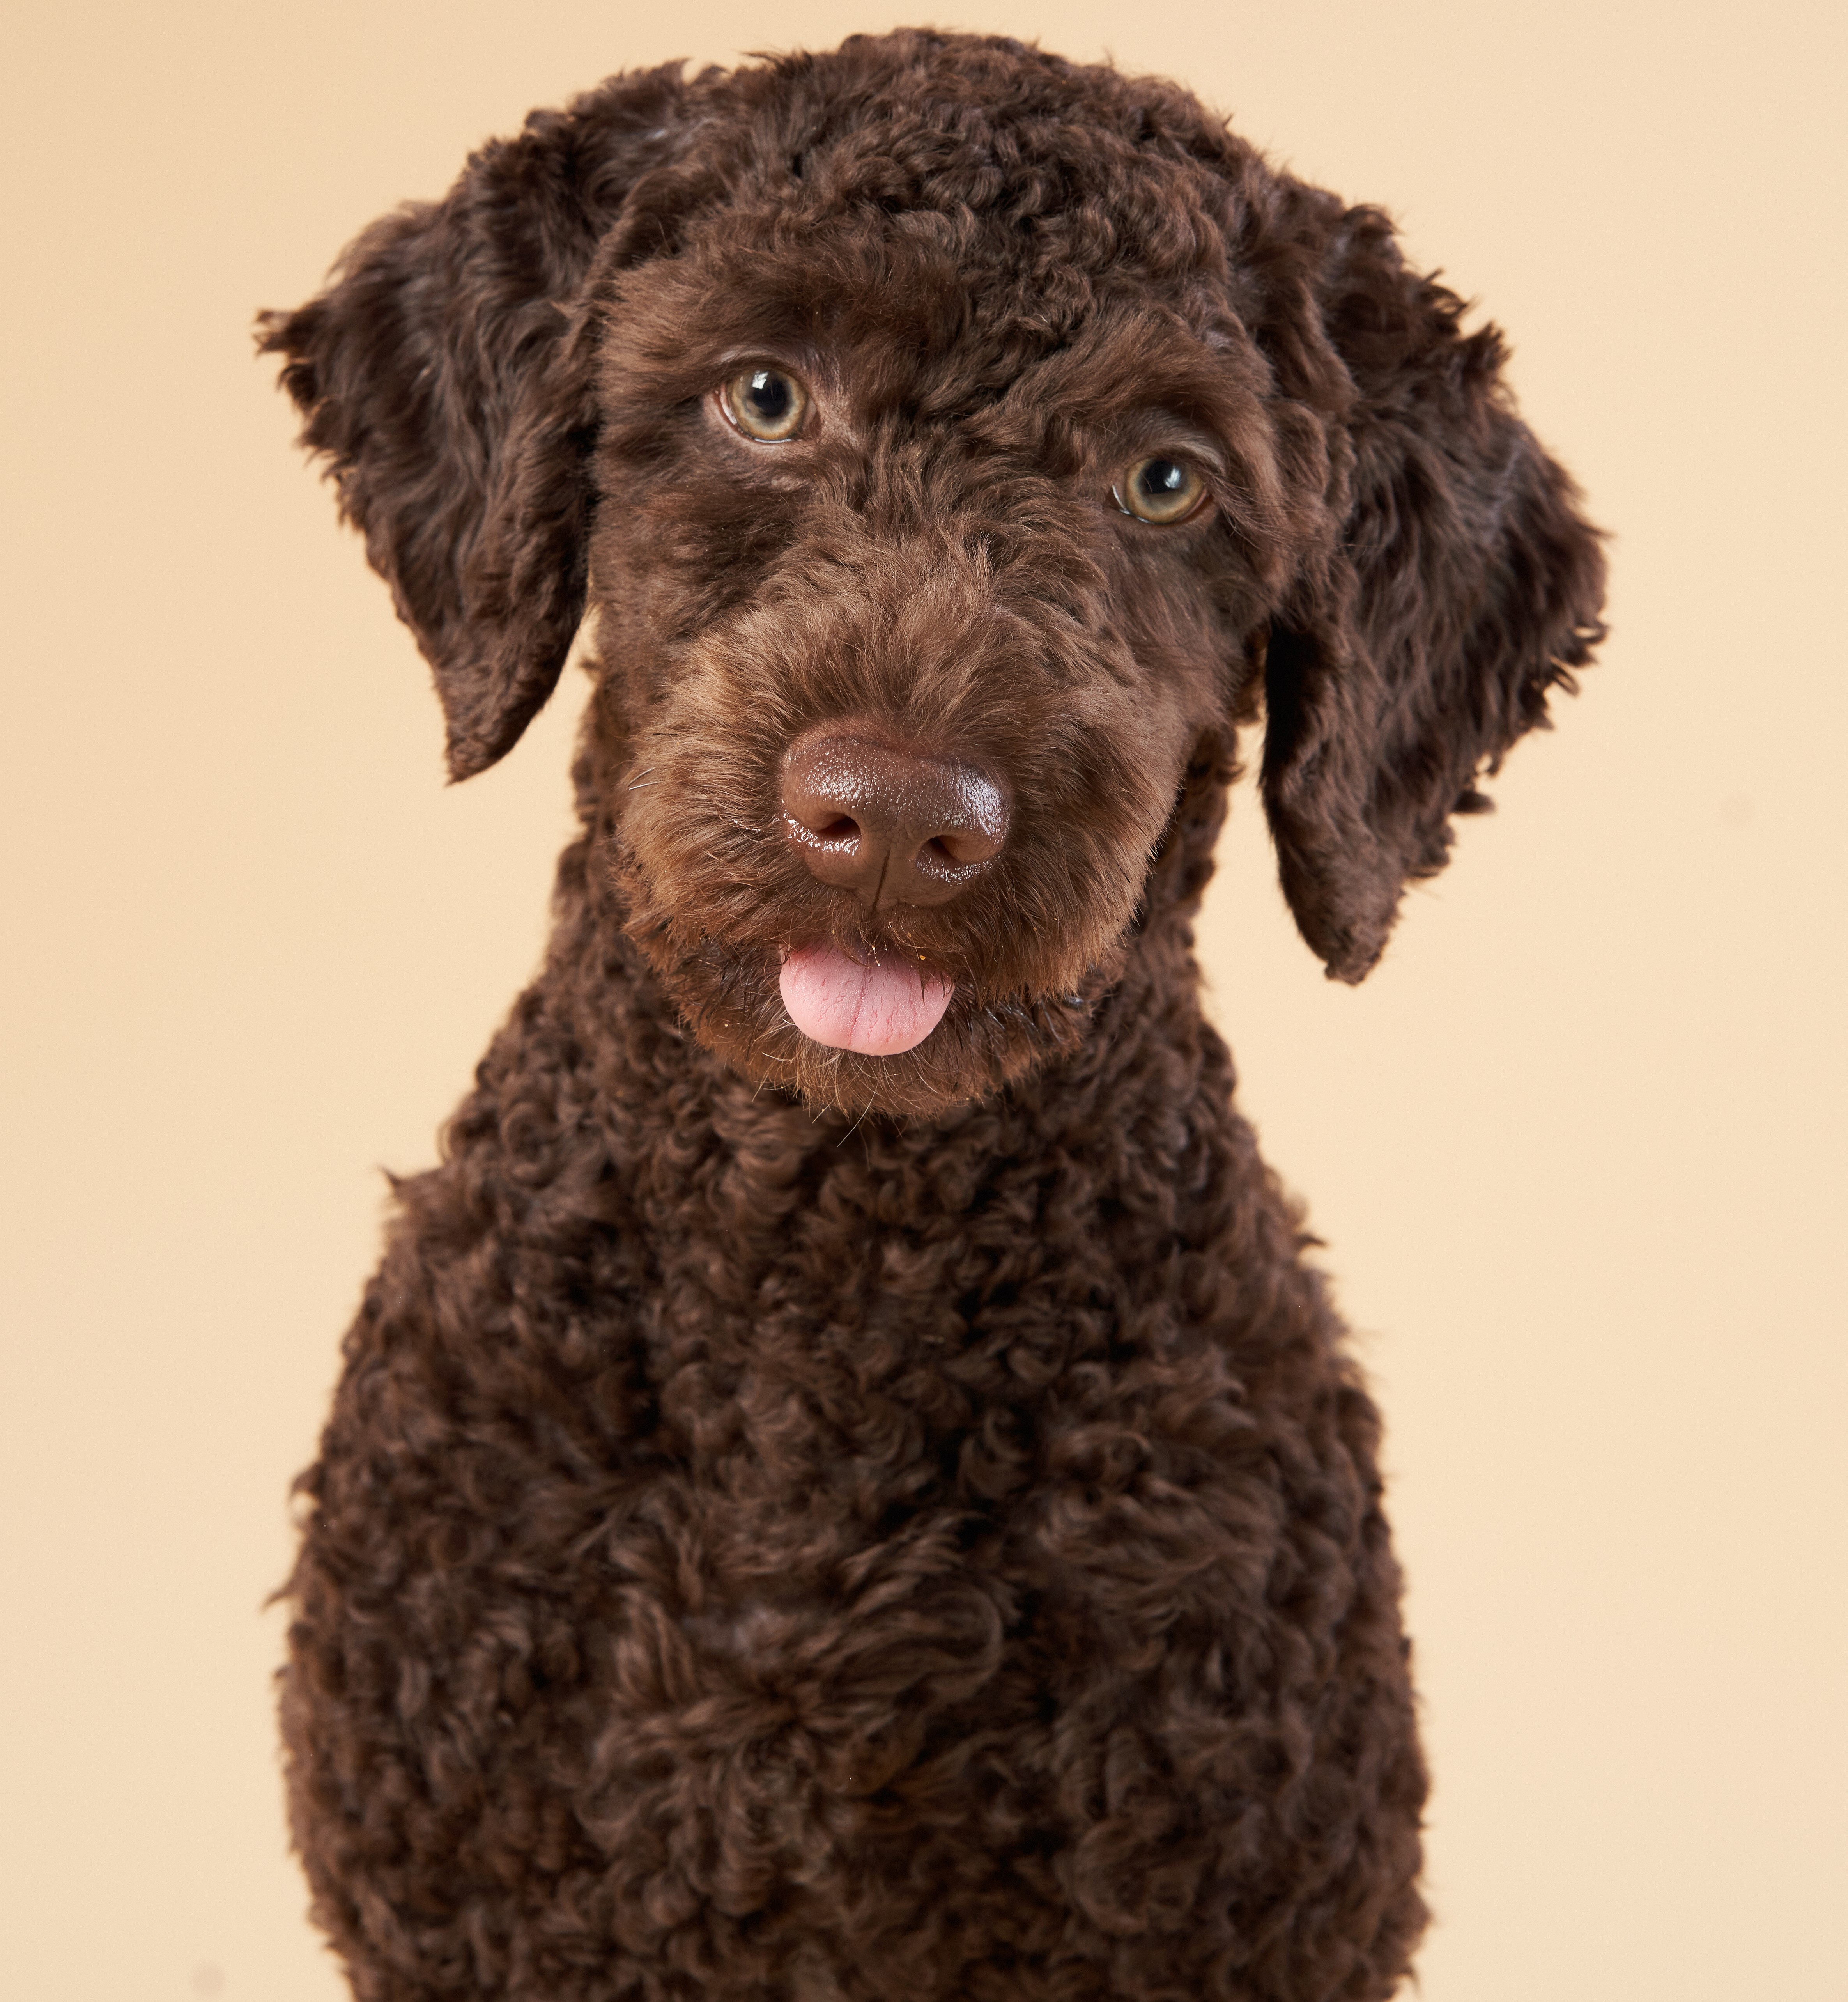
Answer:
(954, 445)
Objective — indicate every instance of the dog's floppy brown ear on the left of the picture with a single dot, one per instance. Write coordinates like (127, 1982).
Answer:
(447, 381)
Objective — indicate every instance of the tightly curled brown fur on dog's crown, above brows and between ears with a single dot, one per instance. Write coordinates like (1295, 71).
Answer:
(946, 203)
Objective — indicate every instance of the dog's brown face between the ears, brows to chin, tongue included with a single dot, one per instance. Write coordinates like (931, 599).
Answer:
(910, 636)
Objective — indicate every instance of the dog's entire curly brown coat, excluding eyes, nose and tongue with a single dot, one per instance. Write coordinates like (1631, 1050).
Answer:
(824, 1527)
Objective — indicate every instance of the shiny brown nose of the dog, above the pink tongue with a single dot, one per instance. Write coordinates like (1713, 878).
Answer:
(890, 826)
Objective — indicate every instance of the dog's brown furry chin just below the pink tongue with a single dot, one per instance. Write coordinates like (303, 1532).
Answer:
(734, 1006)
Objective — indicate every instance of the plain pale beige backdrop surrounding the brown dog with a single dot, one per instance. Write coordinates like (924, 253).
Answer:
(1575, 1148)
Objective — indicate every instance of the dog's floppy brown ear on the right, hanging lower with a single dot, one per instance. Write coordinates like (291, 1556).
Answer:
(1459, 586)
